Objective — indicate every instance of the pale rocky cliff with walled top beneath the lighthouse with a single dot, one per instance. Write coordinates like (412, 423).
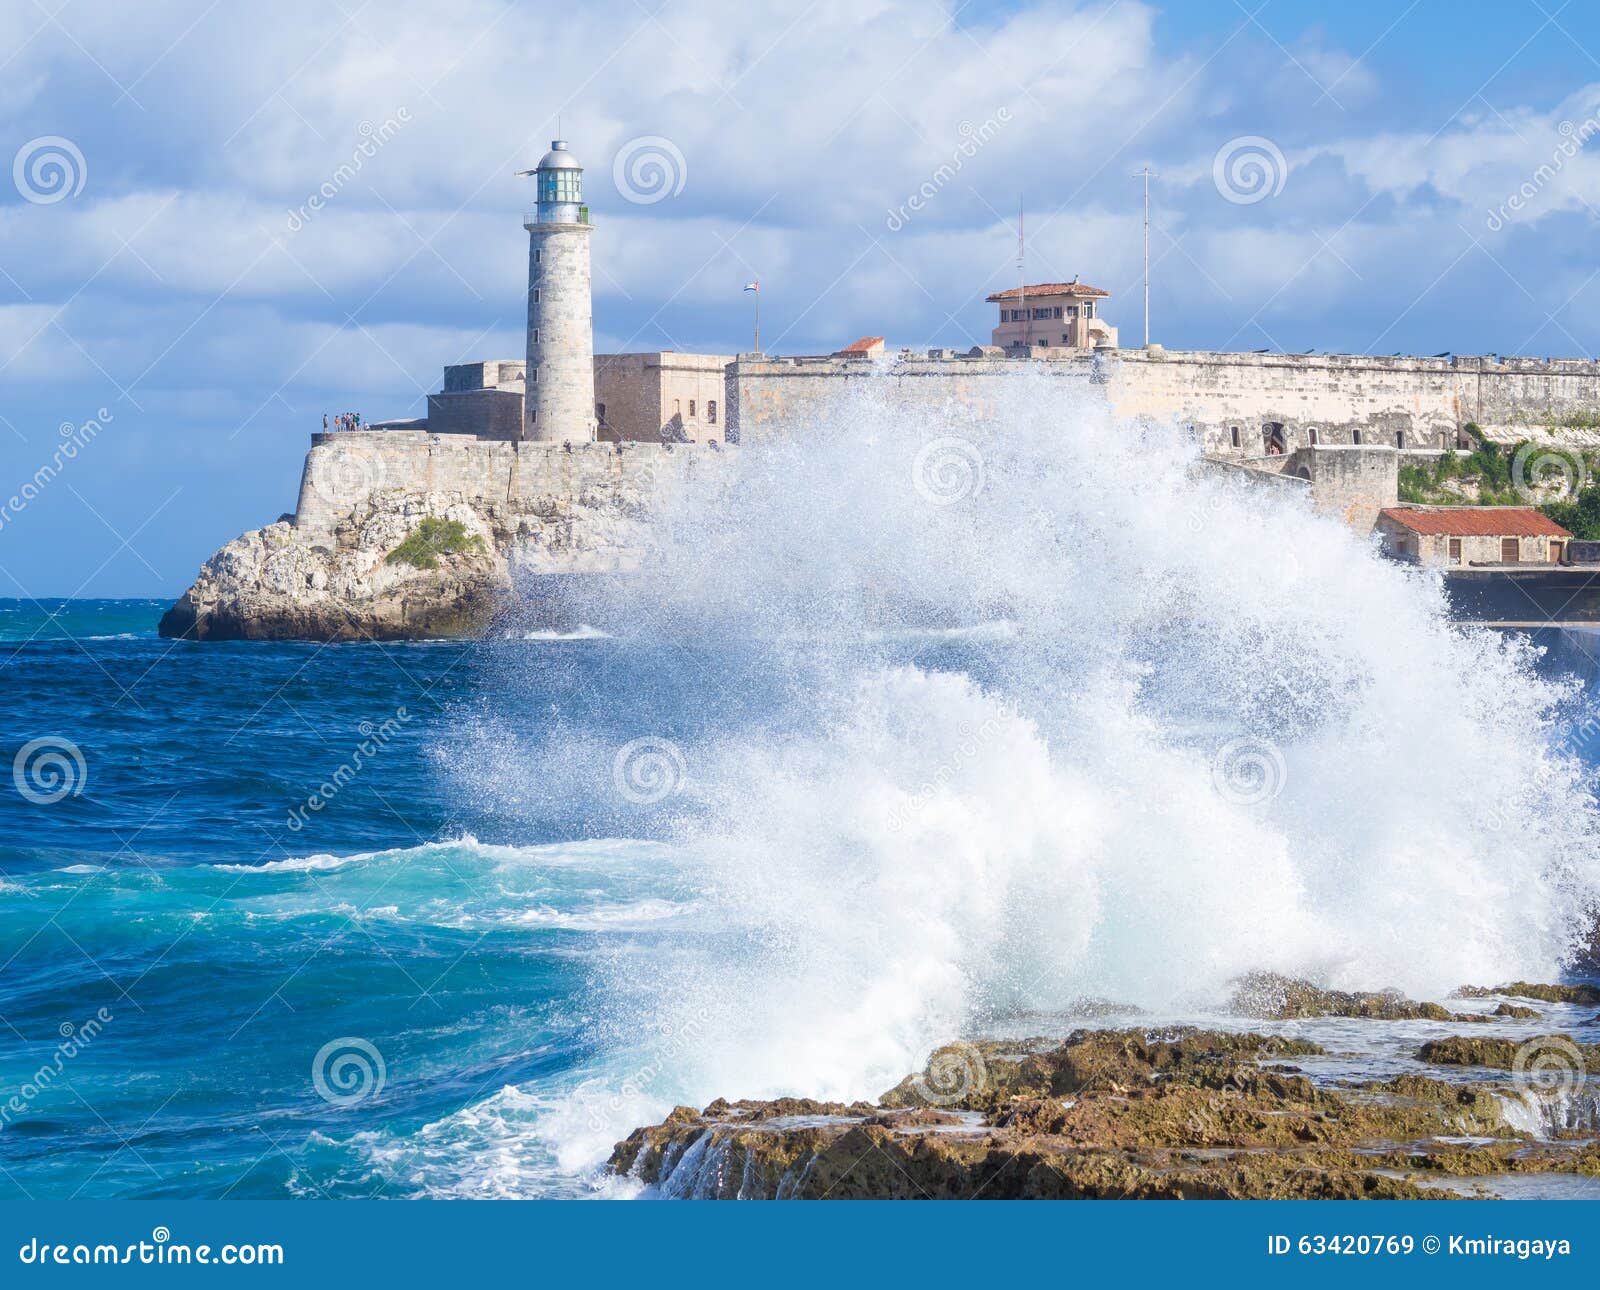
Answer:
(337, 571)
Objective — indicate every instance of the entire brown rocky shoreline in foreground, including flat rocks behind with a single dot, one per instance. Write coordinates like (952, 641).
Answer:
(1166, 1113)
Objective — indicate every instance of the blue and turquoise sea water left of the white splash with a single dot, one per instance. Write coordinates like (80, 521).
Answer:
(286, 919)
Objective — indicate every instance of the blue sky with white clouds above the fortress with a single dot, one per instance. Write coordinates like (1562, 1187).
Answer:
(223, 222)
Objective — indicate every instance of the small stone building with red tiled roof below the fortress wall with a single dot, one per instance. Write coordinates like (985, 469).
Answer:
(1444, 537)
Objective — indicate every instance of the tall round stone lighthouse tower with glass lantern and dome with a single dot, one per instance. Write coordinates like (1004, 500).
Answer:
(561, 374)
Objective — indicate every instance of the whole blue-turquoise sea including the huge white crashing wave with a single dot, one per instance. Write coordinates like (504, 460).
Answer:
(929, 729)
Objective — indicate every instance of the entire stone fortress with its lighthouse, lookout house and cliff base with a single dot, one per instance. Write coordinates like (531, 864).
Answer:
(550, 463)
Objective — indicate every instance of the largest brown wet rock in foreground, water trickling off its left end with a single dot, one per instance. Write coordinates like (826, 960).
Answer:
(1182, 1113)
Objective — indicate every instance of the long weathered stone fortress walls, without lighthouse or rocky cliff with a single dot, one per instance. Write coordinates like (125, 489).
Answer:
(1340, 420)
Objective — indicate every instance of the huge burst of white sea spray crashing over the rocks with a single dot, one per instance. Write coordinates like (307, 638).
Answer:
(902, 831)
